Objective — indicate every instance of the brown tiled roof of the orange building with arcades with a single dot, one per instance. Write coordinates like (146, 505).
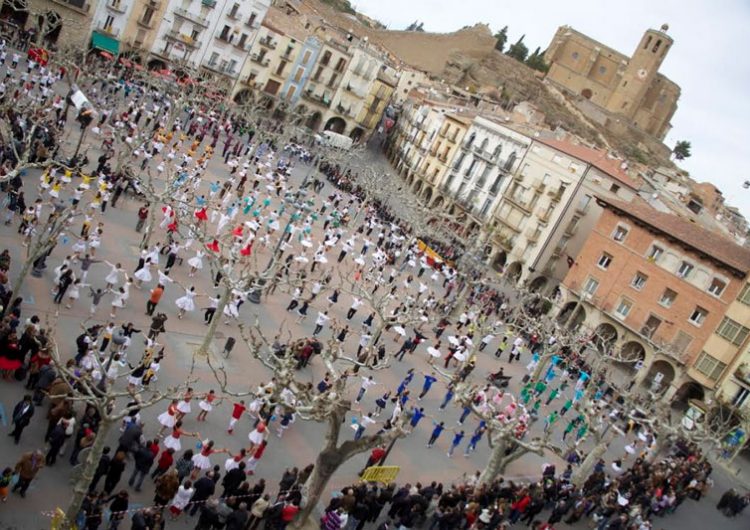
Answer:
(706, 242)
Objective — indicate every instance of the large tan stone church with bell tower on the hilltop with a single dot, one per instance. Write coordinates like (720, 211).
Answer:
(618, 86)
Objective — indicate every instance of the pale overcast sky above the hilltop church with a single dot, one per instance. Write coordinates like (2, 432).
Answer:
(708, 60)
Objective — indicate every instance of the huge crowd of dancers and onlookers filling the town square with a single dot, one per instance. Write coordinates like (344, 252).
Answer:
(359, 269)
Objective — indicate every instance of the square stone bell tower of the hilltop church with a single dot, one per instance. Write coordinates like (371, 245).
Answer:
(640, 72)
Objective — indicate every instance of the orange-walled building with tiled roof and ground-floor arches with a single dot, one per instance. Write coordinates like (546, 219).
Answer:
(661, 292)
